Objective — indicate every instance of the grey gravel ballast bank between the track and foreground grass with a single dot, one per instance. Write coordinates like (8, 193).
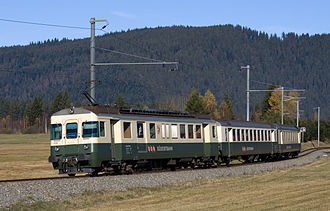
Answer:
(45, 190)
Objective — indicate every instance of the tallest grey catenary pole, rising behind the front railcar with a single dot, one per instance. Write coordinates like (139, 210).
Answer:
(92, 50)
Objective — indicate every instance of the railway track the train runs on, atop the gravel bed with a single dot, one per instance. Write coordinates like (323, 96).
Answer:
(301, 154)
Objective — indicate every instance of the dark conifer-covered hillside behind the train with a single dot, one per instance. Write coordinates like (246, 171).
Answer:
(210, 58)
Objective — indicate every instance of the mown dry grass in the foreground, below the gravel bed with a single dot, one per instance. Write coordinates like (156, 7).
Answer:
(299, 188)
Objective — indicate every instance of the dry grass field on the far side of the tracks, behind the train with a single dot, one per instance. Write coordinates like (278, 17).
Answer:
(26, 156)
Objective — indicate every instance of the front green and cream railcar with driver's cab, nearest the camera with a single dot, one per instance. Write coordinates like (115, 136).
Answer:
(93, 140)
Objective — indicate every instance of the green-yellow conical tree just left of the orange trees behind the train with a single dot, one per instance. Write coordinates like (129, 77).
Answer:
(195, 103)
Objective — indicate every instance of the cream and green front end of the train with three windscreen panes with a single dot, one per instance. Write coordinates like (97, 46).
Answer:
(74, 138)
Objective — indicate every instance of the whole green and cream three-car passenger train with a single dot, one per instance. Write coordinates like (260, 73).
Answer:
(94, 139)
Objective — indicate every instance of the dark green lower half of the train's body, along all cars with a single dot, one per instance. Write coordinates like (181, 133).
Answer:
(88, 158)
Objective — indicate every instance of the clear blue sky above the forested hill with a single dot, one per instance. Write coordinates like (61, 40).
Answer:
(272, 17)
